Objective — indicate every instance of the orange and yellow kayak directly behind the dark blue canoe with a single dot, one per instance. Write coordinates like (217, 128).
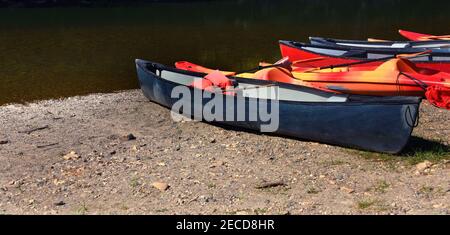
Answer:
(396, 77)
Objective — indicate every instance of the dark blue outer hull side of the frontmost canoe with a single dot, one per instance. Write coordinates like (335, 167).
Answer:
(377, 124)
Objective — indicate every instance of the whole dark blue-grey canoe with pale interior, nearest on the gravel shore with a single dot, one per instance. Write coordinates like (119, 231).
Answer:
(381, 124)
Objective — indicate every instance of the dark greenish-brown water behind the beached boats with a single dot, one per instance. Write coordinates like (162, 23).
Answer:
(58, 52)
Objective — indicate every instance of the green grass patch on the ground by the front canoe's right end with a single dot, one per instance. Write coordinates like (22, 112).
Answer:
(417, 150)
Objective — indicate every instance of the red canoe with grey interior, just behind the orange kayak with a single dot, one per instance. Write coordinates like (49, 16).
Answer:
(321, 56)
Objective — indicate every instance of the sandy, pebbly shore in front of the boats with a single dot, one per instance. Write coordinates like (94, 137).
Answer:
(200, 168)
